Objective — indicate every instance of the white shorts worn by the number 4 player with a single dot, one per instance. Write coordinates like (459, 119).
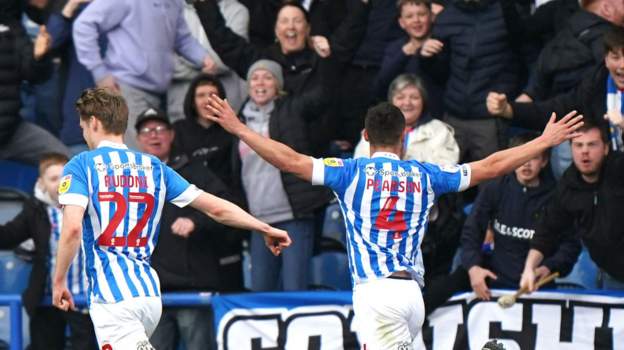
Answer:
(389, 313)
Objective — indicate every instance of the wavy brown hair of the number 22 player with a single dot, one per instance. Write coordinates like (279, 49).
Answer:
(107, 107)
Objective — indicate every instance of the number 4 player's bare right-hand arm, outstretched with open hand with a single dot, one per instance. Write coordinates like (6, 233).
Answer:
(503, 162)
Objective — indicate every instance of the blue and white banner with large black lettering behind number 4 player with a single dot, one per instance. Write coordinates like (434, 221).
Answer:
(325, 321)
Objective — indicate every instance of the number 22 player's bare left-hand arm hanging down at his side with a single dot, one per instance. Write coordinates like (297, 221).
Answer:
(68, 246)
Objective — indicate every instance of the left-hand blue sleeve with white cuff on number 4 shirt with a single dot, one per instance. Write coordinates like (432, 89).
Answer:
(332, 172)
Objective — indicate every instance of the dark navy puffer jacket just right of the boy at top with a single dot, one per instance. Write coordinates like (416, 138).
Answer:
(479, 55)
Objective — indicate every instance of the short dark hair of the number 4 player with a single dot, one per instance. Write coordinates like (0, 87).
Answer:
(384, 124)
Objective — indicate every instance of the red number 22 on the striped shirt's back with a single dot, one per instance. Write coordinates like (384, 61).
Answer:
(134, 238)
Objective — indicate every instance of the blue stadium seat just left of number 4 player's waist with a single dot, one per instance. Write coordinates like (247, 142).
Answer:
(329, 269)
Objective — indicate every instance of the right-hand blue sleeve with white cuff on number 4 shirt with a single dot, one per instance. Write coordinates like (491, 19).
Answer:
(444, 179)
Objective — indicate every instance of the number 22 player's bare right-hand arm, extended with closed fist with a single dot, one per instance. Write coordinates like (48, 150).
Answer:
(230, 214)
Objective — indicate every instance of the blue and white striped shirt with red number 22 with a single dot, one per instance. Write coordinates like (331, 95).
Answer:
(123, 192)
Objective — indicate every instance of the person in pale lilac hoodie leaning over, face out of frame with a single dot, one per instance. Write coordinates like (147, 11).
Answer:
(139, 61)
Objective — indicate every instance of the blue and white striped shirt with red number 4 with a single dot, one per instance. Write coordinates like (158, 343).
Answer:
(386, 203)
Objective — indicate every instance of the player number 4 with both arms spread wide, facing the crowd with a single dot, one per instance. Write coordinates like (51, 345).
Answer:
(385, 202)
